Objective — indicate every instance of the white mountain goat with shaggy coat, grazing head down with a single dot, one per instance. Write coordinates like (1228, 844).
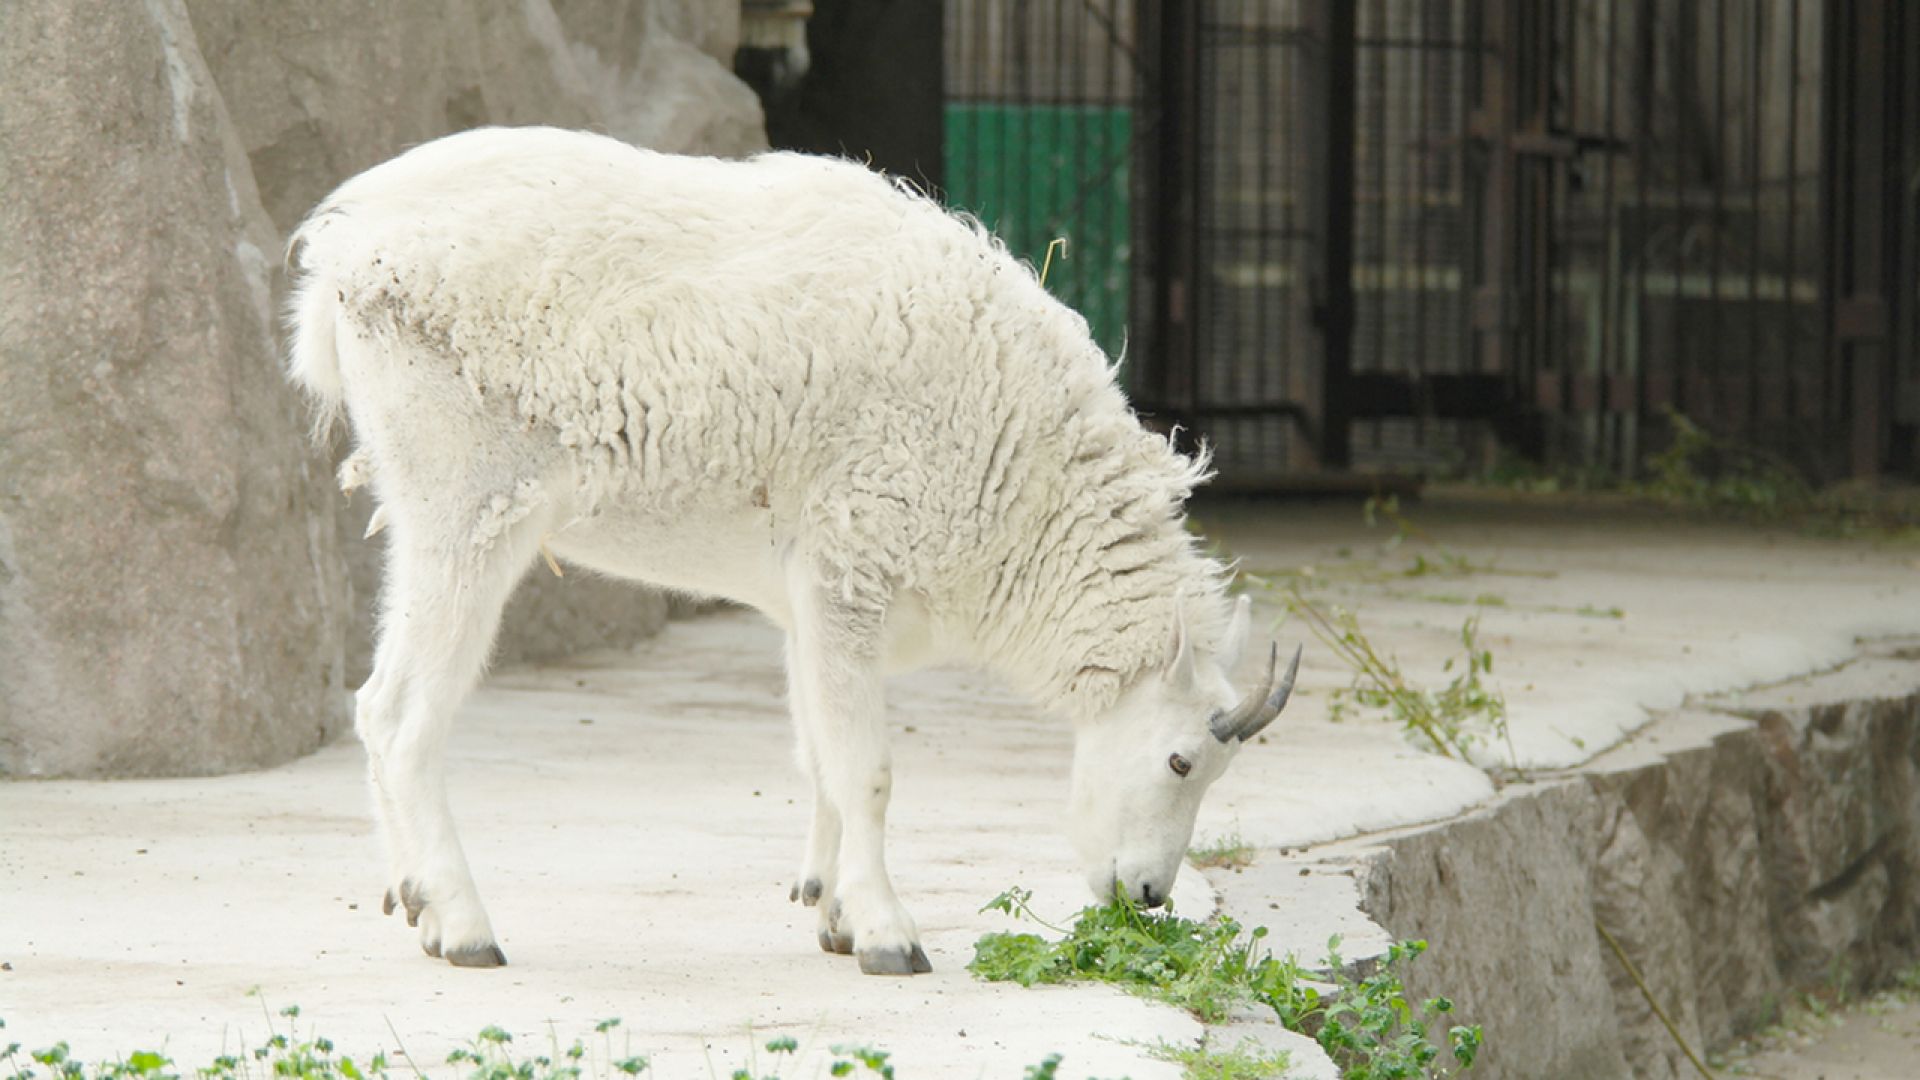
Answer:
(794, 385)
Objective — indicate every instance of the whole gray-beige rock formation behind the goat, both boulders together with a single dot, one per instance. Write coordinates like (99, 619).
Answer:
(181, 589)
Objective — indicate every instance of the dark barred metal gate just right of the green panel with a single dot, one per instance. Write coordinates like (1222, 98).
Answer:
(1320, 233)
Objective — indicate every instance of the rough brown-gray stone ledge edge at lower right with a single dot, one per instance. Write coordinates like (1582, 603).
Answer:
(1739, 850)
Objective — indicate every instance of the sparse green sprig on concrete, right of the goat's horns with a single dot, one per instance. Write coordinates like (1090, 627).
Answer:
(1447, 720)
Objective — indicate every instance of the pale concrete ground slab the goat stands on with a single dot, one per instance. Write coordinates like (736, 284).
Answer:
(635, 820)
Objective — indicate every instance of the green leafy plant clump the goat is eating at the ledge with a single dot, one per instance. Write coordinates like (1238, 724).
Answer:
(1366, 1025)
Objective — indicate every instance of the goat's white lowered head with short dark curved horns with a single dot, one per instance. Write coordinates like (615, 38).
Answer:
(1141, 770)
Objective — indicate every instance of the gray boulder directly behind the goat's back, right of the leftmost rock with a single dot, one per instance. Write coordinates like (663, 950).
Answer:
(325, 89)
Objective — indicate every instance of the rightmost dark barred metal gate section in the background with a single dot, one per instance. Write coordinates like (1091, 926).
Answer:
(1710, 222)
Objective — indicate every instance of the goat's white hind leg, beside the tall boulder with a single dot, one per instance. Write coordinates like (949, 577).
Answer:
(441, 610)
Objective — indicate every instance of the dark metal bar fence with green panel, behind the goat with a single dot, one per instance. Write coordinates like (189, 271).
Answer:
(1418, 233)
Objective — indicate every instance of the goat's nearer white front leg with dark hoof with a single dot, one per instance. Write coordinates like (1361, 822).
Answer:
(836, 679)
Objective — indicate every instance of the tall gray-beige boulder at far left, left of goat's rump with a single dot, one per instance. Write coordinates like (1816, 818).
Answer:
(172, 593)
